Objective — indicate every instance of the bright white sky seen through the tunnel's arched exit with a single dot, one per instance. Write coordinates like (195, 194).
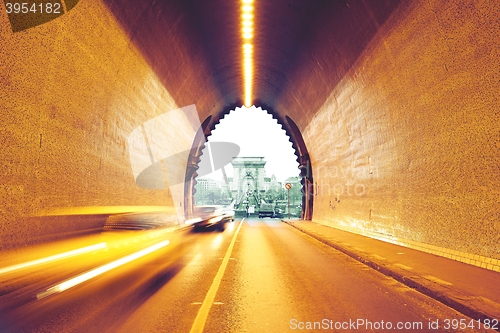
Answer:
(257, 134)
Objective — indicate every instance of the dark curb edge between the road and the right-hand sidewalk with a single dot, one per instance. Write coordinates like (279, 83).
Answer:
(438, 292)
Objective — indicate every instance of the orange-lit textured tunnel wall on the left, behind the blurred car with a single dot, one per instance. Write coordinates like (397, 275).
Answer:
(72, 90)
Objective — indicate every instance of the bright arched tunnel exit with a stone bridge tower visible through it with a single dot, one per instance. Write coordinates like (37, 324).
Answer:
(272, 155)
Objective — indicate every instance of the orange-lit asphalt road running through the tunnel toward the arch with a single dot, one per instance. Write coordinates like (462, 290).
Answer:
(259, 275)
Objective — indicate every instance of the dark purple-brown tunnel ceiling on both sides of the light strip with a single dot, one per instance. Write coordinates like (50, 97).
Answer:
(194, 46)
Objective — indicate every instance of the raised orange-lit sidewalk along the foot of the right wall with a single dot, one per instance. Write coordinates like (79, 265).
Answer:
(471, 290)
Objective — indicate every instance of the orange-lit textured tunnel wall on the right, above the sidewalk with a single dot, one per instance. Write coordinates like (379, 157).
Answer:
(407, 146)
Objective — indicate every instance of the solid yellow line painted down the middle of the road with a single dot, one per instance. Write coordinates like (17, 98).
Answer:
(201, 317)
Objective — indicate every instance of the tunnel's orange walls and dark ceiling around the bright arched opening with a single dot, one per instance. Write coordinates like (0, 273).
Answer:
(392, 107)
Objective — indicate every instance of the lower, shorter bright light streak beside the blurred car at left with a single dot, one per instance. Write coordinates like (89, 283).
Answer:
(101, 270)
